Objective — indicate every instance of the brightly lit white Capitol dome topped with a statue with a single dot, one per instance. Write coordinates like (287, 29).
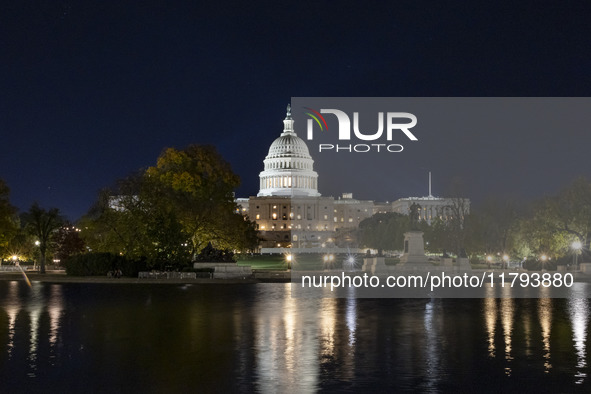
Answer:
(288, 166)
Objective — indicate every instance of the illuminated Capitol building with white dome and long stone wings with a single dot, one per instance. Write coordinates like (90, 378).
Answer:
(290, 212)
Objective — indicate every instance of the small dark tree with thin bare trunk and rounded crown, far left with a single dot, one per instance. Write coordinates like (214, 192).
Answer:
(42, 224)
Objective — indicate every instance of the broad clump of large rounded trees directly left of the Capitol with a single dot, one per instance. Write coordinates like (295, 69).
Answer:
(171, 211)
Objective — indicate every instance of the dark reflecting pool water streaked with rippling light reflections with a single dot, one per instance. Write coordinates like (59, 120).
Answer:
(258, 338)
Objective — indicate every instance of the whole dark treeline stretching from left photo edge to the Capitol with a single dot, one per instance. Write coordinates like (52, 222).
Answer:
(160, 217)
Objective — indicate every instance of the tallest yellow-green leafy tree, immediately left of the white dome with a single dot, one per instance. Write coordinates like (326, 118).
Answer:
(197, 184)
